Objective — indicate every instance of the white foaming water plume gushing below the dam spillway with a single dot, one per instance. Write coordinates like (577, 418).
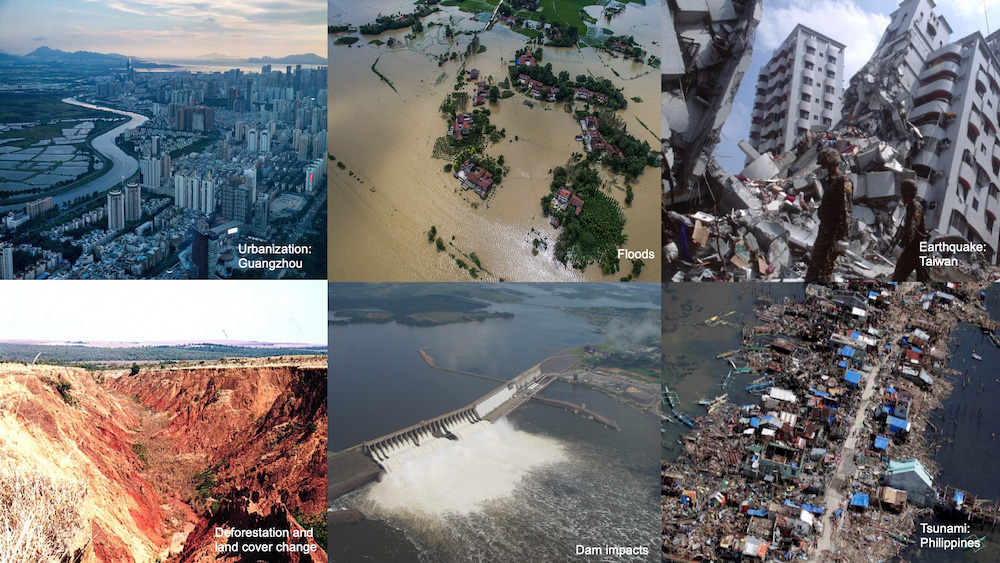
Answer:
(463, 476)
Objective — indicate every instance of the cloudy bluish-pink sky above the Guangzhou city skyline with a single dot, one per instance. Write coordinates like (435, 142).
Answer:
(166, 29)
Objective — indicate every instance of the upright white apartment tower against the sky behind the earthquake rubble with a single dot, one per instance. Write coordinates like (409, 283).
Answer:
(798, 88)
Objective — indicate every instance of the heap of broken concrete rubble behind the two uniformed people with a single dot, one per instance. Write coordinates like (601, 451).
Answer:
(765, 220)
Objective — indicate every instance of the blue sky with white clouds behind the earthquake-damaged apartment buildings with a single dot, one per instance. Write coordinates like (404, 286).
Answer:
(859, 24)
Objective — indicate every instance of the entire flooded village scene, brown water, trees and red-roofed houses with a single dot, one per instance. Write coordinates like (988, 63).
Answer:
(408, 98)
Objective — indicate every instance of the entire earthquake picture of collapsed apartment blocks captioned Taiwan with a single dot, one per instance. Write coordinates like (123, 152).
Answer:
(799, 147)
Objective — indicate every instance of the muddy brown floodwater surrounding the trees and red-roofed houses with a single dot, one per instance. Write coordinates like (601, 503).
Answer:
(392, 190)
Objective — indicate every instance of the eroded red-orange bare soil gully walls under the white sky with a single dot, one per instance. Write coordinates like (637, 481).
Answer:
(167, 456)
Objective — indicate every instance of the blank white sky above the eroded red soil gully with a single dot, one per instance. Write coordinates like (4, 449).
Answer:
(142, 311)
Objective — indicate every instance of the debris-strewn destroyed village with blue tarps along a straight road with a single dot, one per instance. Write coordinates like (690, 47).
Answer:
(837, 460)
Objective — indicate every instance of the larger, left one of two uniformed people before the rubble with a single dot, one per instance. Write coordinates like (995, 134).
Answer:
(834, 217)
